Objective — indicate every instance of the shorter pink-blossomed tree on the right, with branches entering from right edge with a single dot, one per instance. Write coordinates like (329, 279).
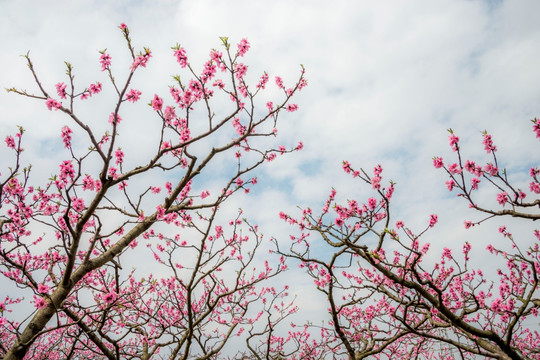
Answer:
(387, 298)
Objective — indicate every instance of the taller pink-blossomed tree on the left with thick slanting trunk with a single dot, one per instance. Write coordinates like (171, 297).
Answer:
(70, 243)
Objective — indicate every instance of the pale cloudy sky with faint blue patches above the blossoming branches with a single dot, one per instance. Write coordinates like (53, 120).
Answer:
(386, 81)
